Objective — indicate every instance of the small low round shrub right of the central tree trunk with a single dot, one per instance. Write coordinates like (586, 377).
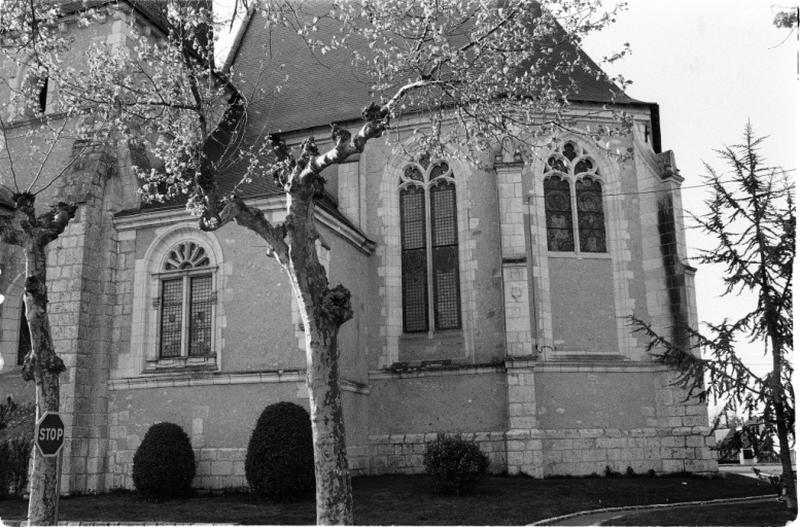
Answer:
(456, 465)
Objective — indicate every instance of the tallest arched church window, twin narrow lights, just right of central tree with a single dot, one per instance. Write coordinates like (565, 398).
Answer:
(429, 245)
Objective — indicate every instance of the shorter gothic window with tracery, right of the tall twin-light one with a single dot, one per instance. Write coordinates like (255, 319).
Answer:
(573, 201)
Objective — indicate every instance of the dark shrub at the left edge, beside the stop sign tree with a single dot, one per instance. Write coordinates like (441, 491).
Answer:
(17, 422)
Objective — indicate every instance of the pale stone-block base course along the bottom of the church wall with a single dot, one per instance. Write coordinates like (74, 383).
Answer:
(574, 452)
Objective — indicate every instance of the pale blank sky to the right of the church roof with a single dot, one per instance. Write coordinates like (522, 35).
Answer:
(711, 65)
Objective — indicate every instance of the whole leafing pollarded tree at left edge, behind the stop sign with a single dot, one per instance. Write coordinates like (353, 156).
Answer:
(42, 143)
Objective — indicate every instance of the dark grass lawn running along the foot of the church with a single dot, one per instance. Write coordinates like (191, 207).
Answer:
(407, 500)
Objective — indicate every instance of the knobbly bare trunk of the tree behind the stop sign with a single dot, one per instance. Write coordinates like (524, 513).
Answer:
(43, 366)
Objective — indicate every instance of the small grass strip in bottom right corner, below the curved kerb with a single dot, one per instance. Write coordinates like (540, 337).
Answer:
(769, 513)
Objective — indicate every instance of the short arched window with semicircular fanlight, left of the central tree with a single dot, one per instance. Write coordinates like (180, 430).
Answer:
(186, 303)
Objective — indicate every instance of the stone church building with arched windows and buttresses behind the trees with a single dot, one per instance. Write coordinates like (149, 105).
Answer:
(489, 301)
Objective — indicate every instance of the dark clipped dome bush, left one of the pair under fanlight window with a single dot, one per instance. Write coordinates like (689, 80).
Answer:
(163, 465)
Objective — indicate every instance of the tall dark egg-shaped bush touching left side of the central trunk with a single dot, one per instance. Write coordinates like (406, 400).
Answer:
(280, 455)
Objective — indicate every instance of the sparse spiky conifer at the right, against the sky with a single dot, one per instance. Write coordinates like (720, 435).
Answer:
(751, 215)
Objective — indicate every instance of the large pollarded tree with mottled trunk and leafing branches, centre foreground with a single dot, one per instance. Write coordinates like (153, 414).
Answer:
(472, 72)
